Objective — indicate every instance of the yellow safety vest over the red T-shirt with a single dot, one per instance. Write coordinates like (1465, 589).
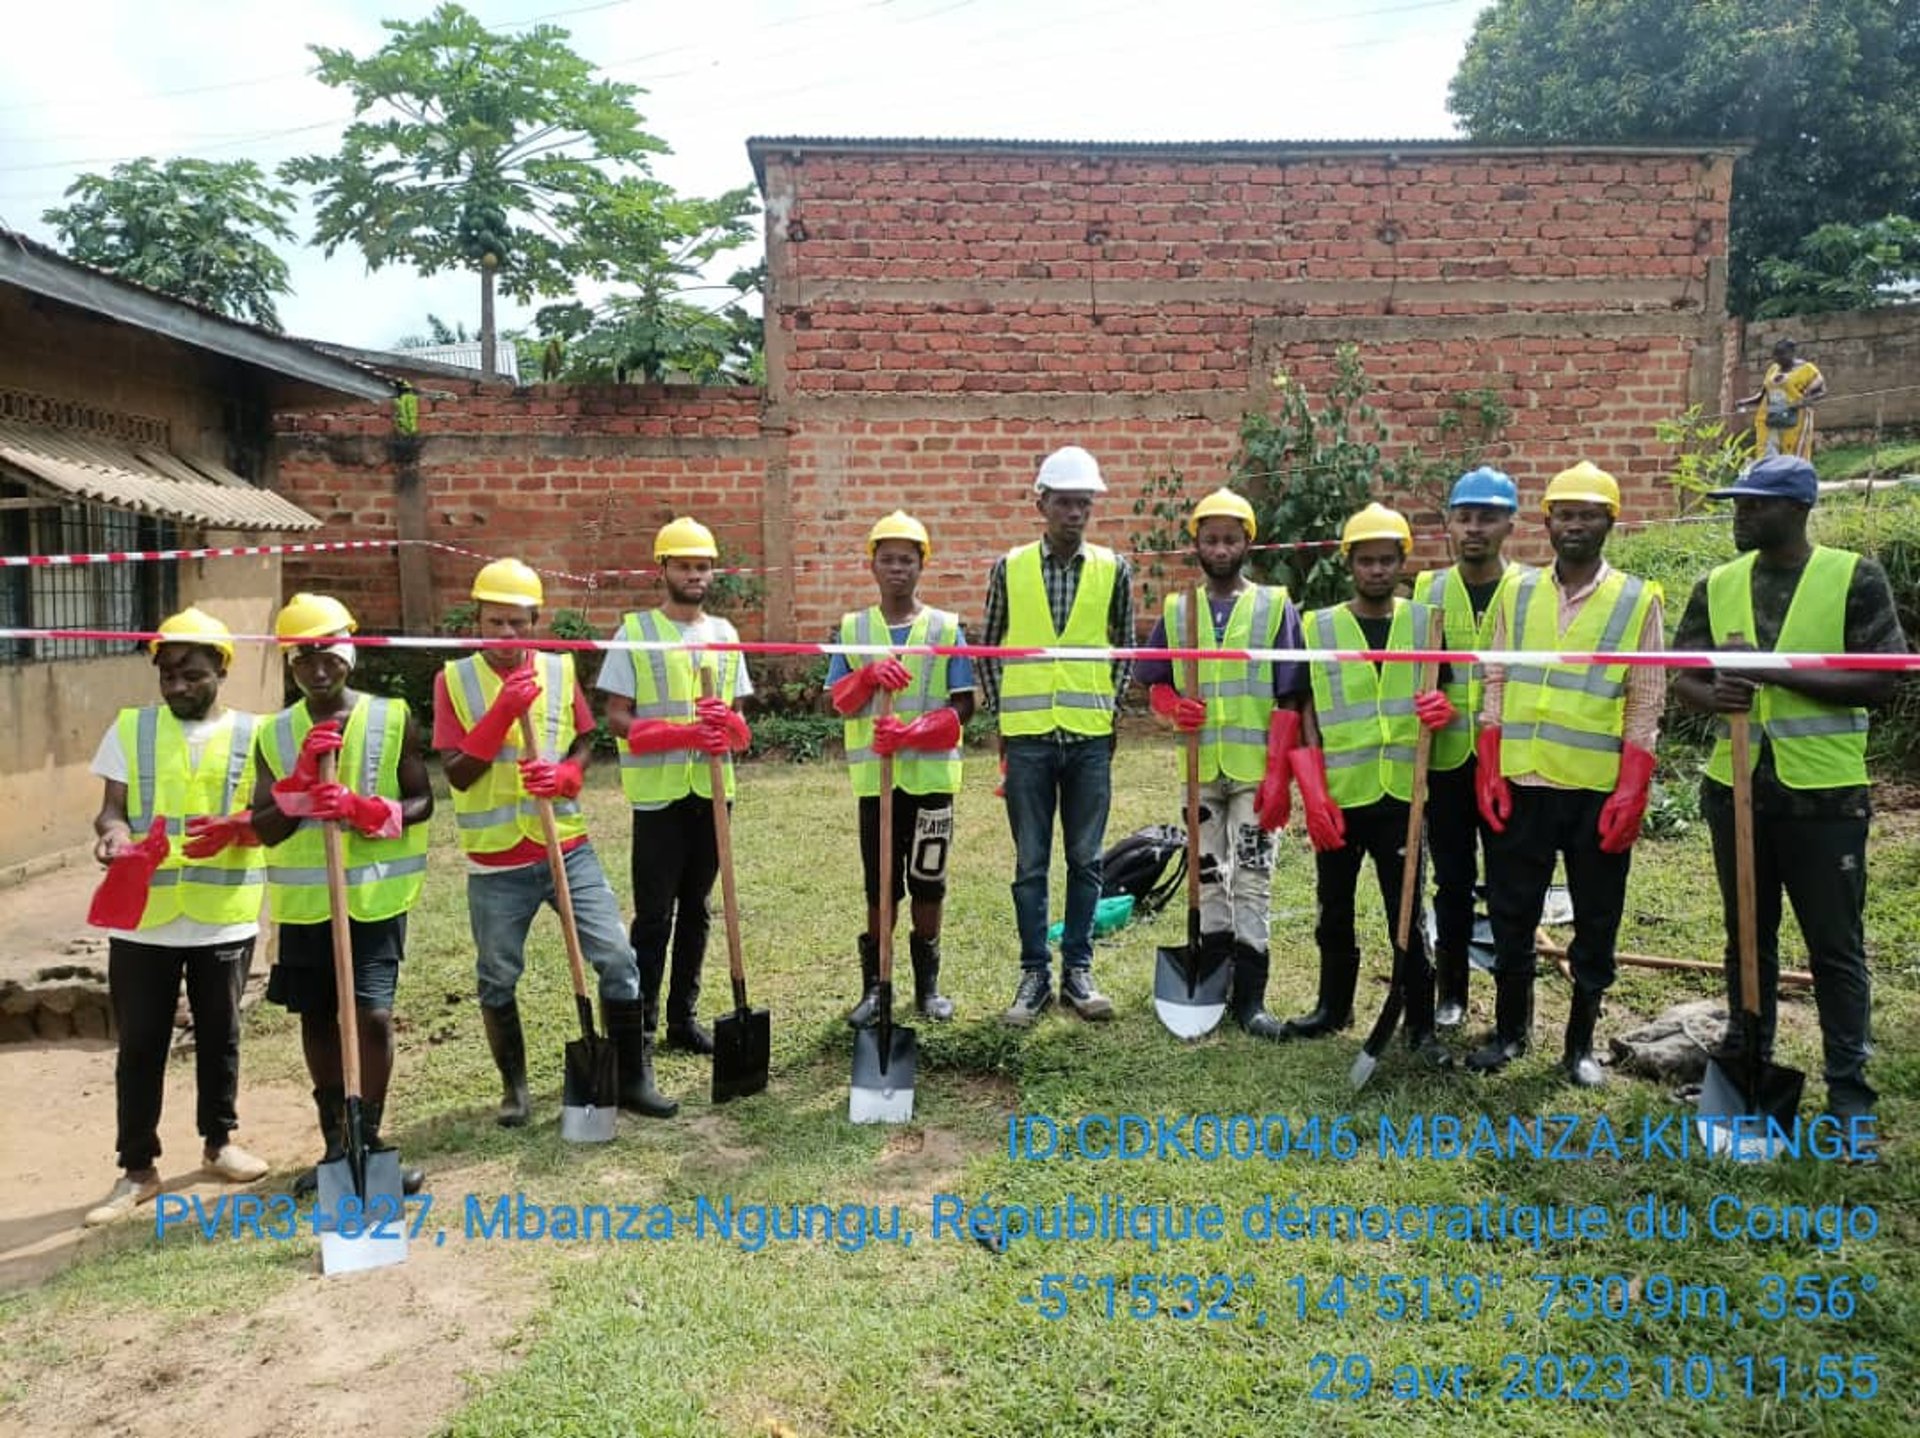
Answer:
(496, 813)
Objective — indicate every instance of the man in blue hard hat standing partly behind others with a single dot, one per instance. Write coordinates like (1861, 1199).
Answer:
(1479, 519)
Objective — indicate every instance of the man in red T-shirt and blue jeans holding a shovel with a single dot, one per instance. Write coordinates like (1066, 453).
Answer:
(479, 704)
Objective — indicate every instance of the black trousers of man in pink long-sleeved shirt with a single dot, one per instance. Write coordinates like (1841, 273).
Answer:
(1548, 825)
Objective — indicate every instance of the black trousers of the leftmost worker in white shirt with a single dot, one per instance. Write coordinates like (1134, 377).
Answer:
(145, 988)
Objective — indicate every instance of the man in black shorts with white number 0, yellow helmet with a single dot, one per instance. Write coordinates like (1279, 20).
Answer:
(932, 704)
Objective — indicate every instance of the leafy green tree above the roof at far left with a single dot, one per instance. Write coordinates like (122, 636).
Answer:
(195, 229)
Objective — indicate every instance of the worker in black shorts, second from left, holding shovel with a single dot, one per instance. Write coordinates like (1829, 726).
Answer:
(381, 800)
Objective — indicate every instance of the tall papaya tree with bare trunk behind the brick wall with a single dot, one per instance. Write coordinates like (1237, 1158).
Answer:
(502, 155)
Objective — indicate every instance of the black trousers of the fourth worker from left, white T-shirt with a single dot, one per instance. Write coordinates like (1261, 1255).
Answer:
(673, 867)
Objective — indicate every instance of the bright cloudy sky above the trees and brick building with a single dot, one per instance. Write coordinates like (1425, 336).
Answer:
(85, 84)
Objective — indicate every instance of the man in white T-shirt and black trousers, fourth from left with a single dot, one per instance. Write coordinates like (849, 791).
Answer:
(669, 731)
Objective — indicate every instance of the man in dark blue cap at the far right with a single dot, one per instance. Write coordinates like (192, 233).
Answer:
(1810, 757)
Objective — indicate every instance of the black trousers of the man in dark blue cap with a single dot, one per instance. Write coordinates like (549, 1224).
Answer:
(1821, 865)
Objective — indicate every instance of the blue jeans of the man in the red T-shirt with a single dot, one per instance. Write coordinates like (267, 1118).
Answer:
(502, 909)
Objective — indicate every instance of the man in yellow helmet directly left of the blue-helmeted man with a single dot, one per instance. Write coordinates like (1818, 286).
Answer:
(1356, 773)
